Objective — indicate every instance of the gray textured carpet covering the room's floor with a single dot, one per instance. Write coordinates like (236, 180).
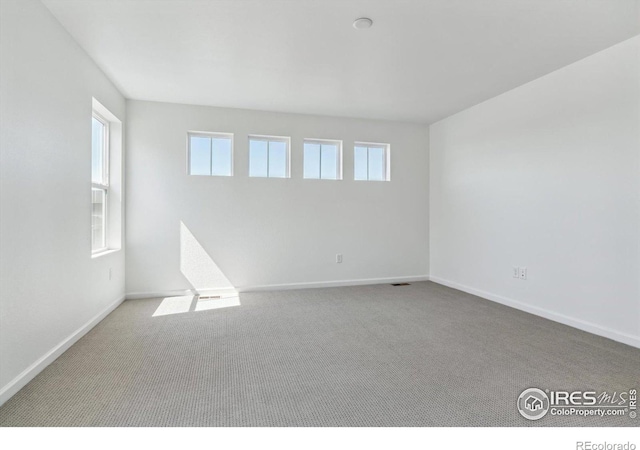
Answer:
(418, 355)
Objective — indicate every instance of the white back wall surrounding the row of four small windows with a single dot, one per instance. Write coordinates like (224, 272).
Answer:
(262, 231)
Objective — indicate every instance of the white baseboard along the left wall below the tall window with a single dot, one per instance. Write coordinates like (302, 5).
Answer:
(10, 389)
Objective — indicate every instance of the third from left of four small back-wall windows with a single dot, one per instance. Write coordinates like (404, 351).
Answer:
(322, 159)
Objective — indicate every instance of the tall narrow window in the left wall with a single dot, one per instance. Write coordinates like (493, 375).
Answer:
(99, 182)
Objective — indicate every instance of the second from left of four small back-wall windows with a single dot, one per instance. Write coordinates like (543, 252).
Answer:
(269, 156)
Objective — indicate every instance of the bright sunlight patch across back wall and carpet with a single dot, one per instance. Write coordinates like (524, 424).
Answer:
(211, 288)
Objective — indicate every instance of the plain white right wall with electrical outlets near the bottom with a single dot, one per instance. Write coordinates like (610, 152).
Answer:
(547, 176)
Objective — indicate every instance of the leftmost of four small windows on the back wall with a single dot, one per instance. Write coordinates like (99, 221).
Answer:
(211, 154)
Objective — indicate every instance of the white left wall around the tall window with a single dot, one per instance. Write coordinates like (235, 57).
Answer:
(51, 289)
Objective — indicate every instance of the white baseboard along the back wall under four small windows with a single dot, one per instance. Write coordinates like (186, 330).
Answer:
(279, 287)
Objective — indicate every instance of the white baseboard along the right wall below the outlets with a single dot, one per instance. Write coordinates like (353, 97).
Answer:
(589, 327)
